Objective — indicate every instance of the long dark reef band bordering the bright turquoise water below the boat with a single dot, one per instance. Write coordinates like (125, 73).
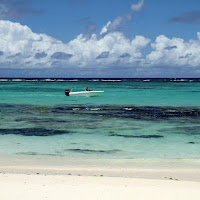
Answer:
(136, 112)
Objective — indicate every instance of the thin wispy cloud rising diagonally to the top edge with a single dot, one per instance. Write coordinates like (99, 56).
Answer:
(121, 20)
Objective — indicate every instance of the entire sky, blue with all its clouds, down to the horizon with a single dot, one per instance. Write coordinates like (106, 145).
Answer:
(100, 38)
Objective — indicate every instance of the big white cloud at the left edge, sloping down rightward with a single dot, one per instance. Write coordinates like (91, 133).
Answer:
(15, 39)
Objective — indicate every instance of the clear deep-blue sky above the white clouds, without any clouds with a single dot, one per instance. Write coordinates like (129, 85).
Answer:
(65, 19)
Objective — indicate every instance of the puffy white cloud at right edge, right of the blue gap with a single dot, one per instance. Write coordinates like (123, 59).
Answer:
(174, 52)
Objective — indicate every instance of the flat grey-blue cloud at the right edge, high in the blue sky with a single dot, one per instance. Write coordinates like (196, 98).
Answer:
(187, 17)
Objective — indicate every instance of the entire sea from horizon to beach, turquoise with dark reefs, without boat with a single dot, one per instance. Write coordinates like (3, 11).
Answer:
(132, 119)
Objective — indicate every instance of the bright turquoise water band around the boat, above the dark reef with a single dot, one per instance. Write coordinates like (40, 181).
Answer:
(125, 92)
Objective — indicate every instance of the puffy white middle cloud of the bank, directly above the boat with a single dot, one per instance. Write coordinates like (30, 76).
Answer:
(115, 44)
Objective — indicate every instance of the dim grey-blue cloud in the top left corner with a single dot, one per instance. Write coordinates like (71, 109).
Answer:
(16, 9)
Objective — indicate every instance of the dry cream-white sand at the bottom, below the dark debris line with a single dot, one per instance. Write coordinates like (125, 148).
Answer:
(53, 187)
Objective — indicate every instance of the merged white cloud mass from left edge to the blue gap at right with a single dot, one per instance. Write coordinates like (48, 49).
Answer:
(26, 49)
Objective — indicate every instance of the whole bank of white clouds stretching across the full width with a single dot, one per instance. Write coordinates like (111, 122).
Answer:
(20, 48)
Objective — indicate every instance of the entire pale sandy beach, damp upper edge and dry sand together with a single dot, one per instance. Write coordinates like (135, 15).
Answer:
(135, 180)
